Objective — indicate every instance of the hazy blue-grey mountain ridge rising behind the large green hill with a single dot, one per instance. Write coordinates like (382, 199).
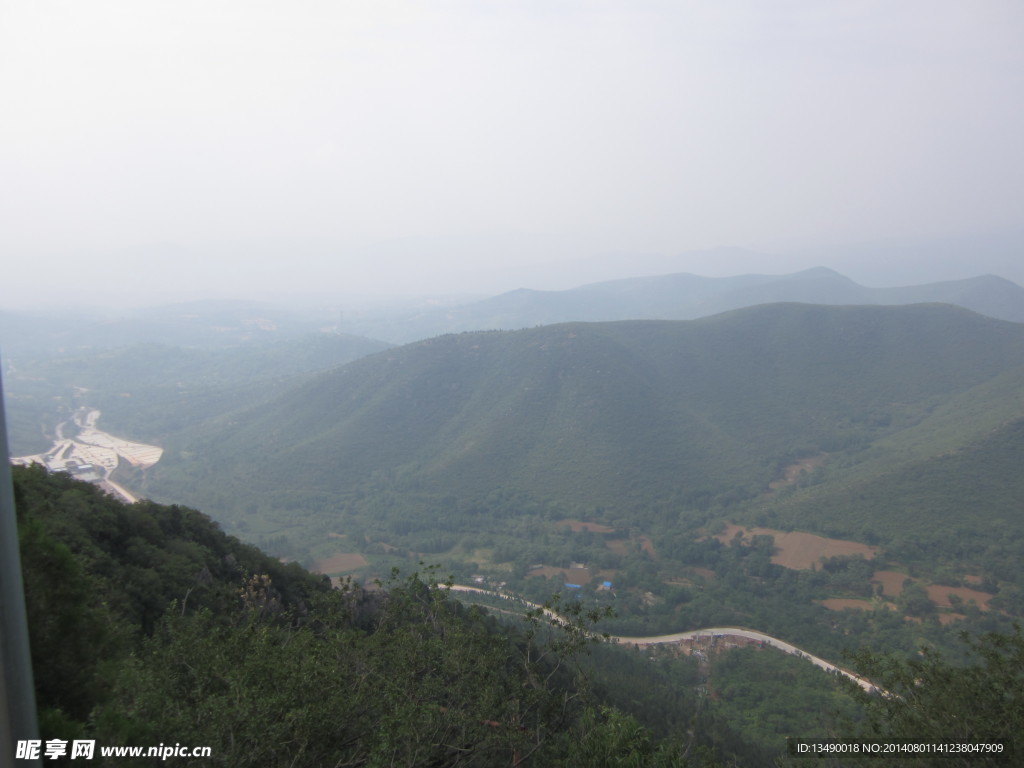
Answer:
(686, 296)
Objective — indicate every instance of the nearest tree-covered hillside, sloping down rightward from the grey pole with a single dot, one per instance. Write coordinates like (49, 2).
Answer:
(149, 626)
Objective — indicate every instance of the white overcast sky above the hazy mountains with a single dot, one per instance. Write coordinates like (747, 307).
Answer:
(172, 149)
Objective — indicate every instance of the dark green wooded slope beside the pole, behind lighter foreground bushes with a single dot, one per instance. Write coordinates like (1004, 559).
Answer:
(104, 574)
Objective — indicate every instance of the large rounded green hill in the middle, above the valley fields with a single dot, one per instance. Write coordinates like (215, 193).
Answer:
(624, 417)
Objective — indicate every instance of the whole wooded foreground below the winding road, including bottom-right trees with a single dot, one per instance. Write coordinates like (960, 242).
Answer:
(150, 626)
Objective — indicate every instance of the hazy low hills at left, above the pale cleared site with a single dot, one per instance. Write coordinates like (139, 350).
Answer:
(152, 390)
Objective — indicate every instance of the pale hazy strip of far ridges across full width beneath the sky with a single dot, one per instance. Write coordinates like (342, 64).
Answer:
(222, 324)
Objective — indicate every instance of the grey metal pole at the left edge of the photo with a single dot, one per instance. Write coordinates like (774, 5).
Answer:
(18, 695)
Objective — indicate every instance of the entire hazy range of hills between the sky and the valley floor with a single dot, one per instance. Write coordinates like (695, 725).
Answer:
(626, 418)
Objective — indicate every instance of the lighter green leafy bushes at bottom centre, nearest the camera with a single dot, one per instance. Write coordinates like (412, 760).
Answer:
(400, 677)
